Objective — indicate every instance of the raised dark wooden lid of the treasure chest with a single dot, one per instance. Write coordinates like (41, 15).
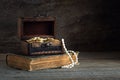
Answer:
(36, 27)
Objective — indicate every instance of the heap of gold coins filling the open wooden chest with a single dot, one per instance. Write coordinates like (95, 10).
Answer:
(38, 41)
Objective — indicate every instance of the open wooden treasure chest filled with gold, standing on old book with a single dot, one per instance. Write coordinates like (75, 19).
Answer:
(41, 29)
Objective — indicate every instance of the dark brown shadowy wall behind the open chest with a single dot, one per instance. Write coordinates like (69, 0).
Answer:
(86, 25)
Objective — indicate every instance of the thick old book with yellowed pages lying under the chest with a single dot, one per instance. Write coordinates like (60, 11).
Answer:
(31, 63)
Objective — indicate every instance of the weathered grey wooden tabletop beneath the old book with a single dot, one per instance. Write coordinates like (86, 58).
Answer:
(94, 69)
